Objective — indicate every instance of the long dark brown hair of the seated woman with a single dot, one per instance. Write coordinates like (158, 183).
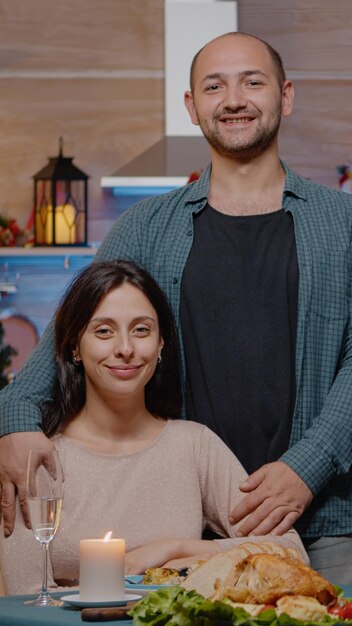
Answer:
(163, 391)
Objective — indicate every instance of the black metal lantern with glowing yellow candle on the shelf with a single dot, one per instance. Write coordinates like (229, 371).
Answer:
(60, 203)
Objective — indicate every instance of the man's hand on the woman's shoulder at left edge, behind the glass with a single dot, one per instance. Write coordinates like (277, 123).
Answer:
(14, 451)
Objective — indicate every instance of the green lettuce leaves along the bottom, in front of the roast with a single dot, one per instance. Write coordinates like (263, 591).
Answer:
(174, 606)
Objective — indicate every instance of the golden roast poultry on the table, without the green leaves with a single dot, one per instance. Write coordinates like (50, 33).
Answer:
(255, 575)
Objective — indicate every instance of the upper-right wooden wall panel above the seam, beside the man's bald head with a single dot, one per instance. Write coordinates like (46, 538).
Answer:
(310, 36)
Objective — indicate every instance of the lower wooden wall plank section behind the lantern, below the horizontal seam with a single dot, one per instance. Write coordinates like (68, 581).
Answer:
(104, 124)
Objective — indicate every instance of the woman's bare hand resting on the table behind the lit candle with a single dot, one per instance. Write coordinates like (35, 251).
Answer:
(163, 552)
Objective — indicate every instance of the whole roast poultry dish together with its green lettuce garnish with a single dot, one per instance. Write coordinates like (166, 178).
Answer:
(266, 585)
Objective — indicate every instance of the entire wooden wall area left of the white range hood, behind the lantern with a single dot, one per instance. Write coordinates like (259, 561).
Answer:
(89, 71)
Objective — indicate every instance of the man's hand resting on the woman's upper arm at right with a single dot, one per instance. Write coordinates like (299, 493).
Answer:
(276, 498)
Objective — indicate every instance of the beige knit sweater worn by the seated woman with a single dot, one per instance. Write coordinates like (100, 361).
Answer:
(186, 478)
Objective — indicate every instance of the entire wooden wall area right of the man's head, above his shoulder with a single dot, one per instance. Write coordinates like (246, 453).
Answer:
(314, 40)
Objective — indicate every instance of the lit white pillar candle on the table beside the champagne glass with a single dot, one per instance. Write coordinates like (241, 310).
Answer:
(102, 569)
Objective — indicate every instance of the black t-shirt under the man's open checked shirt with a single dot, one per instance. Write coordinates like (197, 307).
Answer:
(238, 313)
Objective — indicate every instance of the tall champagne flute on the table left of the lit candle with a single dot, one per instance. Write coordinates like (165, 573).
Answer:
(44, 498)
